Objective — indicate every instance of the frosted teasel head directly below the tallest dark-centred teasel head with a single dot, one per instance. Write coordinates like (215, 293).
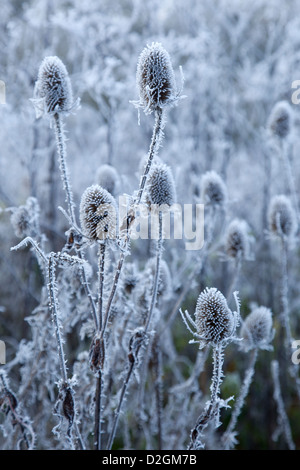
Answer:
(161, 186)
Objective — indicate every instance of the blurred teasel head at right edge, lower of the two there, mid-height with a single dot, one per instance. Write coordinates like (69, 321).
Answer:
(282, 219)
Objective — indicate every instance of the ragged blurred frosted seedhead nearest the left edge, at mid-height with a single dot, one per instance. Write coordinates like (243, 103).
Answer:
(24, 219)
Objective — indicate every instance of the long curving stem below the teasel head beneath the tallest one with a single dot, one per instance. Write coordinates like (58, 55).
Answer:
(146, 326)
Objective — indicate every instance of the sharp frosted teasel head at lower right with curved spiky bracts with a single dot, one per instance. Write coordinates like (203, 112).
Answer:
(214, 320)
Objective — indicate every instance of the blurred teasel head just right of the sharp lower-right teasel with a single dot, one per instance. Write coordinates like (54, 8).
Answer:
(257, 330)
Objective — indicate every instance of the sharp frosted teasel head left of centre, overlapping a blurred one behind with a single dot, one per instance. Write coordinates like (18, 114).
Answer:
(98, 213)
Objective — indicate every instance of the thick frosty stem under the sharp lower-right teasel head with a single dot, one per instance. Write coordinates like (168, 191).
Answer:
(211, 410)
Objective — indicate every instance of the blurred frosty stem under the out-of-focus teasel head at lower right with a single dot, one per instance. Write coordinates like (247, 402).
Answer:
(242, 396)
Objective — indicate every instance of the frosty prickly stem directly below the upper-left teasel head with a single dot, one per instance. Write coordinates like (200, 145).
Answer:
(61, 149)
